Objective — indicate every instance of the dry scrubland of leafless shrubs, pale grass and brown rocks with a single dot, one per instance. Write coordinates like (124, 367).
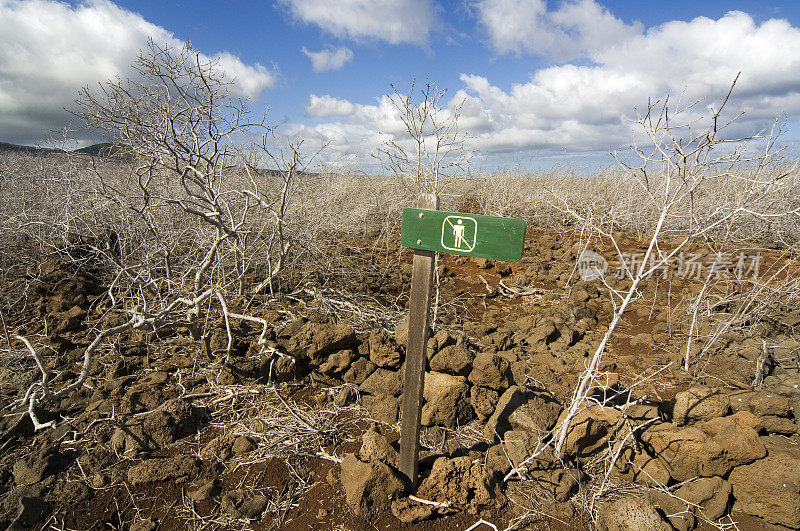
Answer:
(194, 308)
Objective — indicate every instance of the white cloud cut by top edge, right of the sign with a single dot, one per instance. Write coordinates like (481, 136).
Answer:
(574, 29)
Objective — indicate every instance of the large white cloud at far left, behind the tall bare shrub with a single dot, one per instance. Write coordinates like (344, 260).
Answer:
(49, 50)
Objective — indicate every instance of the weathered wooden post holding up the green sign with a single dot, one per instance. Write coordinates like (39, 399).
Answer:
(418, 331)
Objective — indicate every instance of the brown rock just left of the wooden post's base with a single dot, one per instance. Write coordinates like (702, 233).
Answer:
(369, 487)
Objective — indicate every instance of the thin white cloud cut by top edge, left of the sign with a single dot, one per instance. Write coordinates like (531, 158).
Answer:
(393, 21)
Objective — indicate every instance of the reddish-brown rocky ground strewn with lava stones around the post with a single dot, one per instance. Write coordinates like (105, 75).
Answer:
(299, 430)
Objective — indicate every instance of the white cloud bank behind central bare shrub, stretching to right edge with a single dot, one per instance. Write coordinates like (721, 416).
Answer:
(589, 107)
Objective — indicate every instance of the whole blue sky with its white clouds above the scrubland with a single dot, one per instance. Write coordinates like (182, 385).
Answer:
(543, 82)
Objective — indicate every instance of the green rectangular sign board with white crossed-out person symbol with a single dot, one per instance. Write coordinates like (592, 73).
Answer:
(468, 234)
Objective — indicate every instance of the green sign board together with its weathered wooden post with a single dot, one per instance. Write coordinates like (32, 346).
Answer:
(428, 230)
